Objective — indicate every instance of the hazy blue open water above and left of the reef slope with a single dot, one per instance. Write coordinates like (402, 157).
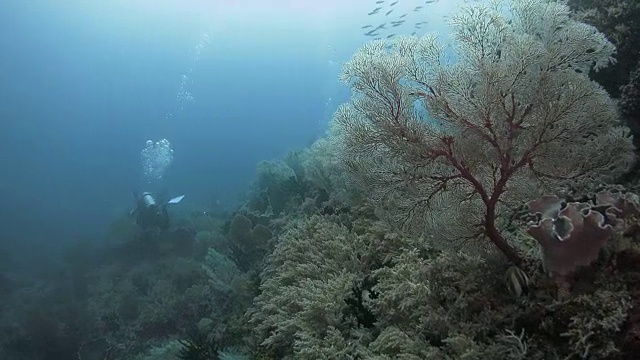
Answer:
(83, 85)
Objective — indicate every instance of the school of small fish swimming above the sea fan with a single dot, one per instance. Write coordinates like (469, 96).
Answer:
(386, 9)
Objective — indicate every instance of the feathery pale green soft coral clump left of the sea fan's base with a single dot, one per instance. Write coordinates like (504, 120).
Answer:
(308, 278)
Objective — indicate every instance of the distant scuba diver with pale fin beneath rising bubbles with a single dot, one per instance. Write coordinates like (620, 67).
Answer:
(150, 213)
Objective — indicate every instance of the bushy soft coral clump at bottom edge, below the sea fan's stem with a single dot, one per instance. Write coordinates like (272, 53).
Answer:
(437, 306)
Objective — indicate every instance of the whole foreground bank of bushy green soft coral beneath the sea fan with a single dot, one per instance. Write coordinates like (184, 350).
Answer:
(330, 292)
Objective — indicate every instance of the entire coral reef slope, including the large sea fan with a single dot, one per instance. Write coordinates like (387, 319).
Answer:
(379, 241)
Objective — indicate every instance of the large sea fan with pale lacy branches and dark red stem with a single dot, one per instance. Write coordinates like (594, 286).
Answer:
(515, 116)
